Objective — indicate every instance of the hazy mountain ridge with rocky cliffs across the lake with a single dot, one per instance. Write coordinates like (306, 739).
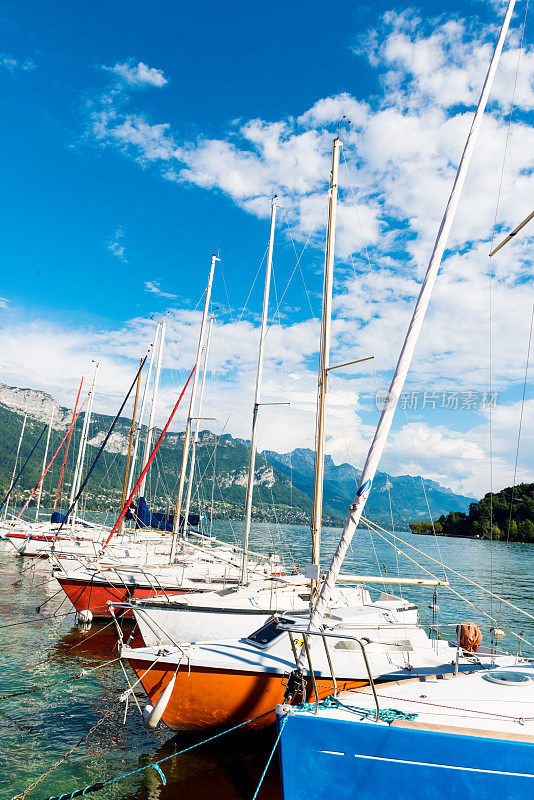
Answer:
(283, 481)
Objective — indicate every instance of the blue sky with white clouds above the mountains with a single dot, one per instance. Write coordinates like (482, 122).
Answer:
(137, 140)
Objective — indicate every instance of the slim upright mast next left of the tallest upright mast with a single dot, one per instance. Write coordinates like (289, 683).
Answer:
(257, 395)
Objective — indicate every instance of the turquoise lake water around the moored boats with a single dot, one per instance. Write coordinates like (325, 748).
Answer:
(46, 652)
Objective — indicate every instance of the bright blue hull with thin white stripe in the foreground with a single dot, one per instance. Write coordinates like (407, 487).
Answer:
(347, 758)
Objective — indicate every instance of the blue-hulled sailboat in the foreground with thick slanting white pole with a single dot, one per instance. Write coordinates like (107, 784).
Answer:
(470, 736)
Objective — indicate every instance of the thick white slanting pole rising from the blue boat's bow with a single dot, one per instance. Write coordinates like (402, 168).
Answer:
(405, 358)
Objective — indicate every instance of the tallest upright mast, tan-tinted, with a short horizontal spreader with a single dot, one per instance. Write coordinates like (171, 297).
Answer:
(322, 387)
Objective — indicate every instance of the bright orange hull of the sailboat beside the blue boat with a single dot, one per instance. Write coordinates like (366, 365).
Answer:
(205, 698)
